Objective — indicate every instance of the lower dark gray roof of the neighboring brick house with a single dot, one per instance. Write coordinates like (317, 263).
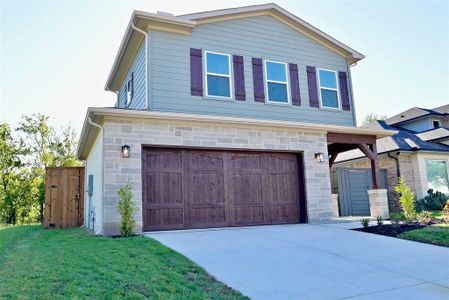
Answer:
(403, 140)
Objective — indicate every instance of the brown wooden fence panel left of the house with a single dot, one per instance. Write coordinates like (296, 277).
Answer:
(64, 197)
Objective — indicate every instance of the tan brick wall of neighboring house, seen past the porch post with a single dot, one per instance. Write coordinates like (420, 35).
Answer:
(385, 162)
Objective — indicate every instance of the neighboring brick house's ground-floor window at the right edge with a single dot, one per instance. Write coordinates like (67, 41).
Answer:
(437, 178)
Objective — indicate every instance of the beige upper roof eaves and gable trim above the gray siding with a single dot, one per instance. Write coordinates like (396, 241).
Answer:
(185, 23)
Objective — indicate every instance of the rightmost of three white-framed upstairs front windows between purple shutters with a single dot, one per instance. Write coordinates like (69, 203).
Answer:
(329, 94)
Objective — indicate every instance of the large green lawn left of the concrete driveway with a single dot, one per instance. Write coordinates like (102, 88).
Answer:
(56, 264)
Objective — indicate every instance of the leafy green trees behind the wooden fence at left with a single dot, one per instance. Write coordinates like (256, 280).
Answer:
(24, 155)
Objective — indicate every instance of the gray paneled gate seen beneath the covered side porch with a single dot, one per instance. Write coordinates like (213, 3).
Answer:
(352, 185)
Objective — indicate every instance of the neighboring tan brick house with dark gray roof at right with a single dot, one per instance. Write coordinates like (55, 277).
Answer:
(419, 151)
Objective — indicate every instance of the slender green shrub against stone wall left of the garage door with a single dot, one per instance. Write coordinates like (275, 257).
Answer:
(126, 209)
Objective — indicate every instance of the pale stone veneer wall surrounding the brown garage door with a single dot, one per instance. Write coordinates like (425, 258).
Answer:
(118, 171)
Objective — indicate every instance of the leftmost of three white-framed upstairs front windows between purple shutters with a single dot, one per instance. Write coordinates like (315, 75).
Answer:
(218, 75)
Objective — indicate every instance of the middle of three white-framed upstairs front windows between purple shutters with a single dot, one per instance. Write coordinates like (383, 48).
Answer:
(276, 82)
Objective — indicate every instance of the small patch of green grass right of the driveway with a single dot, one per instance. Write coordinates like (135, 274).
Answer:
(436, 234)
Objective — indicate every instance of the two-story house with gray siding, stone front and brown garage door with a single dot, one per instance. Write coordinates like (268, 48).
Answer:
(223, 118)
